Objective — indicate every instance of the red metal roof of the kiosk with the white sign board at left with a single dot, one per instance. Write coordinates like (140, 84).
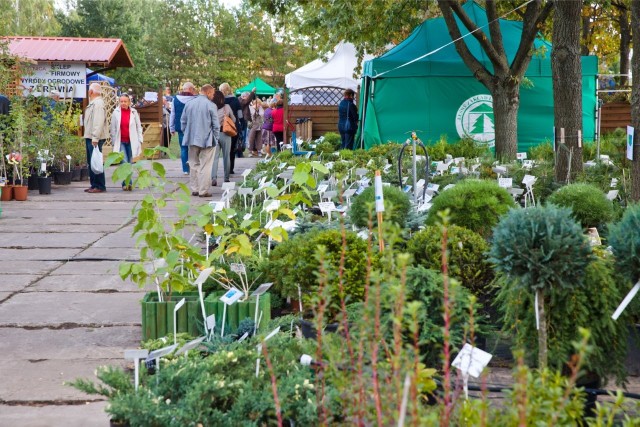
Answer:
(103, 52)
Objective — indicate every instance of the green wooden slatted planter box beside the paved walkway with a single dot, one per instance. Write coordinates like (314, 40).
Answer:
(157, 317)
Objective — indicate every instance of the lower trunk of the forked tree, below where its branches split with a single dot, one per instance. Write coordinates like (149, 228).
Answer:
(506, 101)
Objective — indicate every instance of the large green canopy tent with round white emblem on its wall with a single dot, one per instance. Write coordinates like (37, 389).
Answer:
(422, 84)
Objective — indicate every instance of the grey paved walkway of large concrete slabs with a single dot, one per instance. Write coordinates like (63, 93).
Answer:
(63, 309)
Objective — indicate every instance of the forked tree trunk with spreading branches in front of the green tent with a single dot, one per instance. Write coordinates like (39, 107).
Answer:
(504, 81)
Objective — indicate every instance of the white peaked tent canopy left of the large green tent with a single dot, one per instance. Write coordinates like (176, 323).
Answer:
(337, 71)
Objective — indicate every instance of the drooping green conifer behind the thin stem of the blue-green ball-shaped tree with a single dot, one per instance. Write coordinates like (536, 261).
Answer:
(589, 306)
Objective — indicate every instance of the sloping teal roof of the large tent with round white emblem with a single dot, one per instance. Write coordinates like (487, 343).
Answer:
(432, 39)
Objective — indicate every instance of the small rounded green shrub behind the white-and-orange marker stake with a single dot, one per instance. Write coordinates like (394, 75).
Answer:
(396, 207)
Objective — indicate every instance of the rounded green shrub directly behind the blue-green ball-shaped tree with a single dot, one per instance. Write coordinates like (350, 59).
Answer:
(588, 203)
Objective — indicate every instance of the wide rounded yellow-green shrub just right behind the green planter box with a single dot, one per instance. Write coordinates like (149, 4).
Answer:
(294, 263)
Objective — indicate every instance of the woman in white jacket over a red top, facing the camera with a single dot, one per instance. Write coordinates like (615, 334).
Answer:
(126, 132)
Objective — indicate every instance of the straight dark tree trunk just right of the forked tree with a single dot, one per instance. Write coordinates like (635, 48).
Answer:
(567, 87)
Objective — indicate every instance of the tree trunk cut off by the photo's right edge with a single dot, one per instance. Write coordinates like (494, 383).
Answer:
(635, 105)
